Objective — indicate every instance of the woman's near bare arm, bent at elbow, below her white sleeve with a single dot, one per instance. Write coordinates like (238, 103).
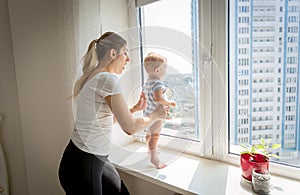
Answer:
(125, 119)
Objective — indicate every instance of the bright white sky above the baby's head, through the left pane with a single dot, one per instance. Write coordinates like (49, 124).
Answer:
(177, 18)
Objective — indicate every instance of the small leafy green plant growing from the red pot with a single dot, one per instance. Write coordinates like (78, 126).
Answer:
(263, 148)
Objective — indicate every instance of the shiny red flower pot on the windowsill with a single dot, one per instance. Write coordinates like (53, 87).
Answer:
(249, 161)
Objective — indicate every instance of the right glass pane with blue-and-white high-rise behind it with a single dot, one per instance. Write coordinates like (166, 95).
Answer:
(264, 75)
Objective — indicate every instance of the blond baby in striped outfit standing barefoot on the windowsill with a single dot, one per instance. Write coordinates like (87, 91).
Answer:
(154, 89)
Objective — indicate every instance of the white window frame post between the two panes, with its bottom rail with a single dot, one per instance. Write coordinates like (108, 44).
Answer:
(213, 38)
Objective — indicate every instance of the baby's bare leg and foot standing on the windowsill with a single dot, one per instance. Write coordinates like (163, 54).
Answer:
(152, 141)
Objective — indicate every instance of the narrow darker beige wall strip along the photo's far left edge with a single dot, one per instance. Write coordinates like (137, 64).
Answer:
(11, 136)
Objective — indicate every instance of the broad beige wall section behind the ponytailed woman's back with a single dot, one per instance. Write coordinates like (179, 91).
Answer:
(34, 27)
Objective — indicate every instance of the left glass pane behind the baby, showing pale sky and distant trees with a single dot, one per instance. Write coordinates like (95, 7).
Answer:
(168, 30)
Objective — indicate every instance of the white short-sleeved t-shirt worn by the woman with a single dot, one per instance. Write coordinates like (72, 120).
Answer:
(93, 118)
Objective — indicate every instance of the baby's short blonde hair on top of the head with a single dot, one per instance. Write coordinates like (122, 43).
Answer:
(153, 61)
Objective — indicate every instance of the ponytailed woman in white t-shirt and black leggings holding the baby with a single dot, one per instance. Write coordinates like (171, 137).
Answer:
(85, 168)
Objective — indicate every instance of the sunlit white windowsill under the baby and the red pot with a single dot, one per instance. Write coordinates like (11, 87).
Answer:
(191, 174)
